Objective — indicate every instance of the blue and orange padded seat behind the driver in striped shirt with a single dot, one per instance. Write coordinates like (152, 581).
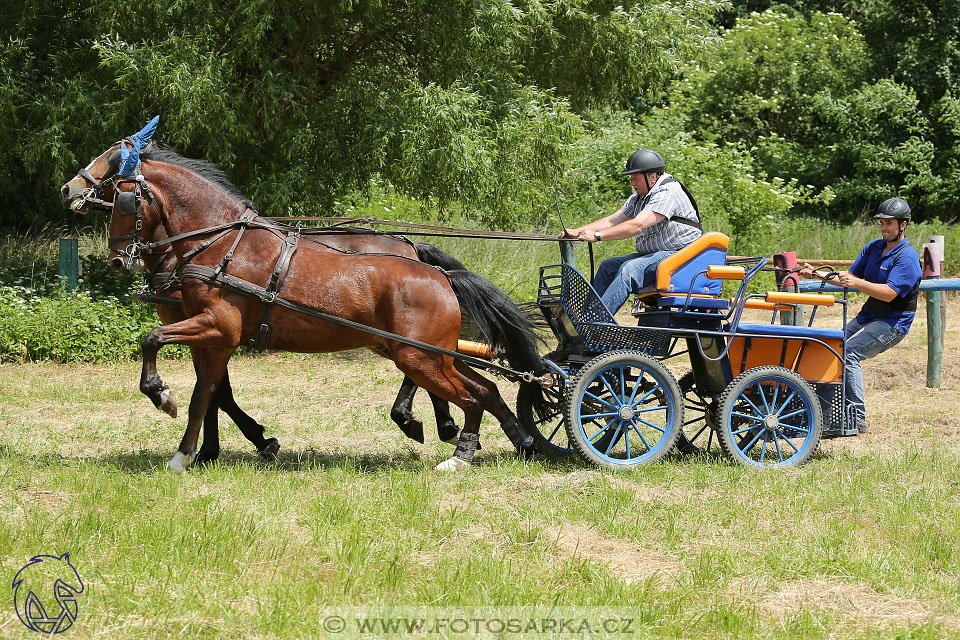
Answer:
(682, 272)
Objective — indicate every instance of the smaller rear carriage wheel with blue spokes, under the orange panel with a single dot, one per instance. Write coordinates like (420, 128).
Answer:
(770, 417)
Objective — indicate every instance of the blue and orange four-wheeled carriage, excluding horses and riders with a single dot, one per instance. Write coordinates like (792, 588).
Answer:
(762, 393)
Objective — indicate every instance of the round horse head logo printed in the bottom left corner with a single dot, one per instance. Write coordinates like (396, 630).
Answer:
(45, 594)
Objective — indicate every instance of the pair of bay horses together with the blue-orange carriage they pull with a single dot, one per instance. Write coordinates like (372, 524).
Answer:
(764, 393)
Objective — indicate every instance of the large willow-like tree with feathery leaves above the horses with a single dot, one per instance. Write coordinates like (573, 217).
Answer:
(473, 102)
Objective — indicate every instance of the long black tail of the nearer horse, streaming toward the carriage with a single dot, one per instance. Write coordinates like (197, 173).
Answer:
(503, 325)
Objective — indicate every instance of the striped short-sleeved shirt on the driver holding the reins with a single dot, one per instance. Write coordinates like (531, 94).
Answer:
(670, 201)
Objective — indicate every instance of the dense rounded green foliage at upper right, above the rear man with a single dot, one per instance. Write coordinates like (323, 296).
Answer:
(803, 89)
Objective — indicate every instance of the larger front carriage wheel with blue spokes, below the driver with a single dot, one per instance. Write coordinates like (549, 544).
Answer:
(623, 409)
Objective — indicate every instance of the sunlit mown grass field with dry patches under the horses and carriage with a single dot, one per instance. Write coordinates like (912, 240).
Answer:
(353, 521)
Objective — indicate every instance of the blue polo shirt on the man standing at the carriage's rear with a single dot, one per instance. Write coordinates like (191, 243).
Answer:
(899, 270)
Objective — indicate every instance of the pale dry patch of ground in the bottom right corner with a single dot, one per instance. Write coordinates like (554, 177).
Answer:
(853, 600)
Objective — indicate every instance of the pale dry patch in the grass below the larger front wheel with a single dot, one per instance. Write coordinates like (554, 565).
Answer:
(625, 559)
